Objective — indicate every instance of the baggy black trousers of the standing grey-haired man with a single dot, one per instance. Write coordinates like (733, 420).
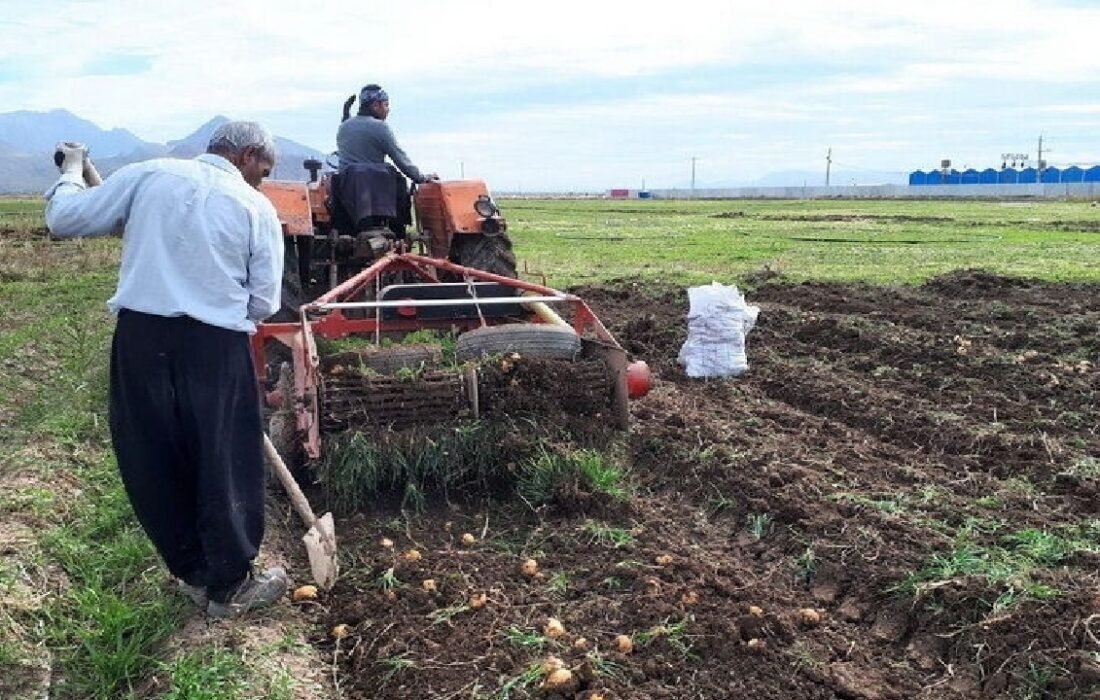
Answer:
(188, 432)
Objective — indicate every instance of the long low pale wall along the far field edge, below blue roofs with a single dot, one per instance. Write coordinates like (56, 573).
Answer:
(1047, 191)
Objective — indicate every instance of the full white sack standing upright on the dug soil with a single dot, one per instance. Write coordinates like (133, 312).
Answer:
(719, 320)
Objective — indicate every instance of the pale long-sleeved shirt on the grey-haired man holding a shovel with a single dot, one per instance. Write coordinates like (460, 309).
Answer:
(197, 240)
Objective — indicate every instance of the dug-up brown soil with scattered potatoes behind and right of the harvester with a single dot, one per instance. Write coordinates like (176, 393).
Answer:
(787, 528)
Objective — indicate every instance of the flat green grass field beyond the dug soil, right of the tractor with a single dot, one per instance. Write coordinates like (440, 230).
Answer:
(873, 242)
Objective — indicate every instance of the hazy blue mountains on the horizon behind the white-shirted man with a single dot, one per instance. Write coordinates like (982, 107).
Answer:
(28, 141)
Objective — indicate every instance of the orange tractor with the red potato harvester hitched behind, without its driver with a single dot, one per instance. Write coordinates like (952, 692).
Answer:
(364, 282)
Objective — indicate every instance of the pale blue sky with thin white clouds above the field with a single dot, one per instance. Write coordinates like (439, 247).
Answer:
(588, 95)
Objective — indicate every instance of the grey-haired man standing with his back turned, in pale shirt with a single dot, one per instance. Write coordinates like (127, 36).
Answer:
(202, 264)
